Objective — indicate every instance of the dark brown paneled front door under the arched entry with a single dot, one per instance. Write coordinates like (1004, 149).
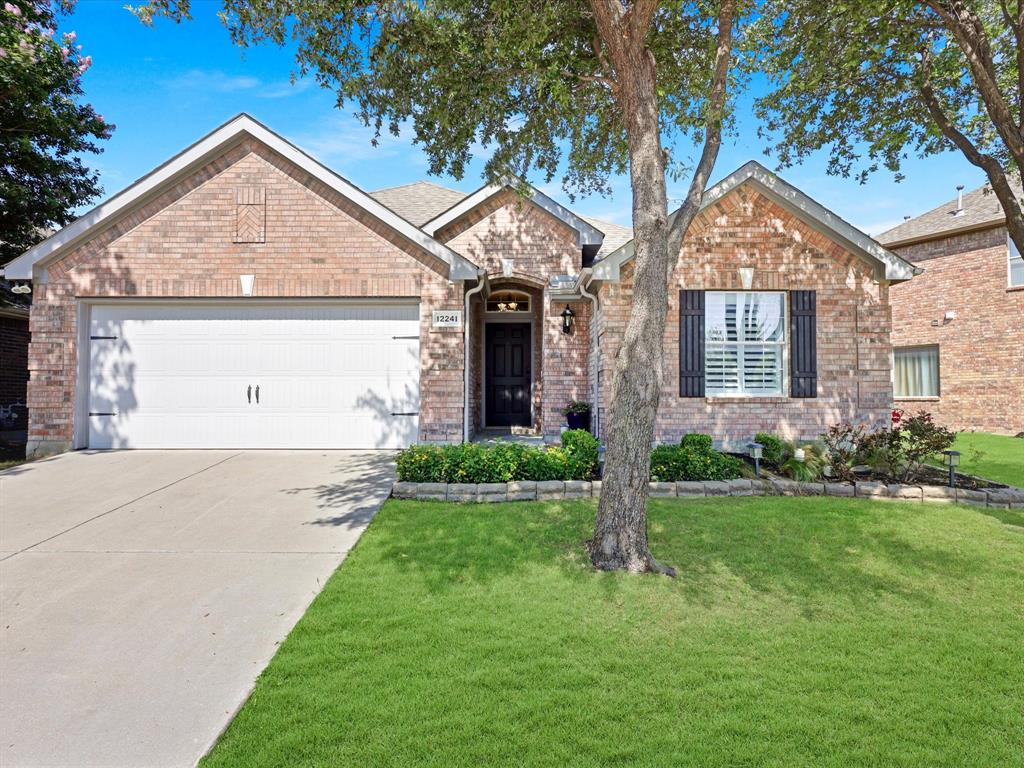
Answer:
(507, 375)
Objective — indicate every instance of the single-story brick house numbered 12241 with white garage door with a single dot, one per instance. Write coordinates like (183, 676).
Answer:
(243, 295)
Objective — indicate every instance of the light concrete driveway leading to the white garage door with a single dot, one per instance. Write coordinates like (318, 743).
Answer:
(143, 592)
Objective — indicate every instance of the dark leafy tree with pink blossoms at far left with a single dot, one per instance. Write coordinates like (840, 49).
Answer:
(45, 127)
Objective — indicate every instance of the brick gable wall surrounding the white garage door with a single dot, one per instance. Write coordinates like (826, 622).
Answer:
(181, 245)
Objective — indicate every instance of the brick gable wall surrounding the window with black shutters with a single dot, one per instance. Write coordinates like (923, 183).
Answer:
(747, 230)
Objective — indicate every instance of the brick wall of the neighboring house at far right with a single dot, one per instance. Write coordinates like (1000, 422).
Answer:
(982, 353)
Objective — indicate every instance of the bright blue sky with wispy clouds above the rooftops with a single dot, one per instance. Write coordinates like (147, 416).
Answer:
(168, 86)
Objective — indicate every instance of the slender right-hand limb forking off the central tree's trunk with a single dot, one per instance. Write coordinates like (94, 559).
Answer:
(713, 131)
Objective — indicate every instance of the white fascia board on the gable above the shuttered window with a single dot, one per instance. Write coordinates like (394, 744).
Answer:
(893, 268)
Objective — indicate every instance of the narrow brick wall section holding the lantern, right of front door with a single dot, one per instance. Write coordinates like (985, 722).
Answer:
(567, 363)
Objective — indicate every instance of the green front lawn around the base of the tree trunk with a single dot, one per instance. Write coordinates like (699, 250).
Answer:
(802, 632)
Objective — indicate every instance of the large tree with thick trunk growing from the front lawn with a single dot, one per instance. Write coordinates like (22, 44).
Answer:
(569, 88)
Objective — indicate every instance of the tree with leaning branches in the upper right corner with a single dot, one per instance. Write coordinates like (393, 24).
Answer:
(873, 79)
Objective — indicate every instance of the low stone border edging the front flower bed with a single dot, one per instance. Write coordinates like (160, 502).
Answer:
(523, 491)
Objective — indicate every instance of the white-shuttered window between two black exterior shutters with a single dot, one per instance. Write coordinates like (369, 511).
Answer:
(745, 344)
